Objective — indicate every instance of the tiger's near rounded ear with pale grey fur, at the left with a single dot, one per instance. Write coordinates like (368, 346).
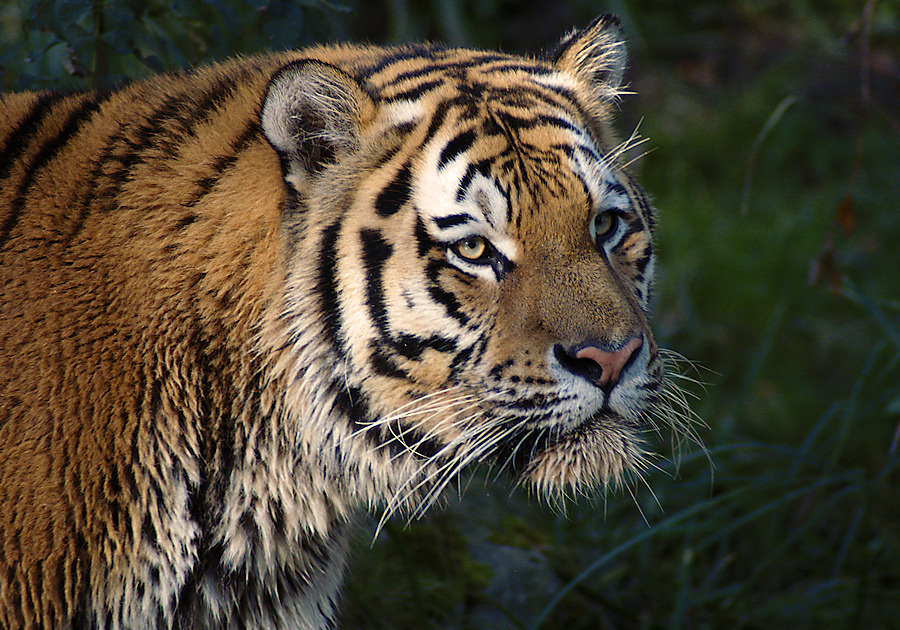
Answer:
(312, 113)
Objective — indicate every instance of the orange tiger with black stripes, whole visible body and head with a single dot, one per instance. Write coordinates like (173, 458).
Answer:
(248, 303)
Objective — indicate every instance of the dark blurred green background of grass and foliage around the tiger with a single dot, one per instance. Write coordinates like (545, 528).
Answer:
(774, 160)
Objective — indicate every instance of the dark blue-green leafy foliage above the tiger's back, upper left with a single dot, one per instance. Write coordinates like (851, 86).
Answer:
(90, 42)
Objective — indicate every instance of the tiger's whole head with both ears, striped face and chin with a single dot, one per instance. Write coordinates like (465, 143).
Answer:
(478, 262)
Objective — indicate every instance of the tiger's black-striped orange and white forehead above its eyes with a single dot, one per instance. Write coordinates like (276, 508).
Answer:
(501, 158)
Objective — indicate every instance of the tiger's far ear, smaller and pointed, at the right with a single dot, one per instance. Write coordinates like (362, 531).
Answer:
(595, 54)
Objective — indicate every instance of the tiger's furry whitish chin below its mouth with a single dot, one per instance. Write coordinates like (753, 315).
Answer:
(599, 453)
